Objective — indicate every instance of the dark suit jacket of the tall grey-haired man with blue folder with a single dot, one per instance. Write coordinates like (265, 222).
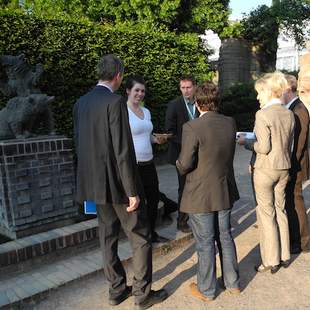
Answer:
(106, 168)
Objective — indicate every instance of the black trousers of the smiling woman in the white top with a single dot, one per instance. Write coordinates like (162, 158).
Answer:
(149, 177)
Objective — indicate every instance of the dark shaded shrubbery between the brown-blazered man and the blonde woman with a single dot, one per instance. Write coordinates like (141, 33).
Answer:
(240, 102)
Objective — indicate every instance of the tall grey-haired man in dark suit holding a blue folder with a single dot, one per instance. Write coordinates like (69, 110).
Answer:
(107, 174)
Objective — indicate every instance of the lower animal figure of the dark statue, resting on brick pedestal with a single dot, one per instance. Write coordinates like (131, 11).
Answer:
(21, 115)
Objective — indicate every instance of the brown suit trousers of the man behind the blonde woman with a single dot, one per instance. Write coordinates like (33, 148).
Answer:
(296, 213)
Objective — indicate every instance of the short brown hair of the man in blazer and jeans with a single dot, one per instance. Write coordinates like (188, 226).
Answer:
(207, 96)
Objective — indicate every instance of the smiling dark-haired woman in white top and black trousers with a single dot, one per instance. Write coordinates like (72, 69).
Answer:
(141, 129)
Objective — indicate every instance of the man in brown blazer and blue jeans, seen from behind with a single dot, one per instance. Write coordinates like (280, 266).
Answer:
(206, 158)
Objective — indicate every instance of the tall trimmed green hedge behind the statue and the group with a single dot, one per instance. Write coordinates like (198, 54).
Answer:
(69, 52)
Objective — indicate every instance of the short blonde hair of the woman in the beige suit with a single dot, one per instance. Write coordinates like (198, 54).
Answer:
(275, 83)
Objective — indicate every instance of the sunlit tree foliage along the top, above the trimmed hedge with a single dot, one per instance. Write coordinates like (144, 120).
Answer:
(174, 15)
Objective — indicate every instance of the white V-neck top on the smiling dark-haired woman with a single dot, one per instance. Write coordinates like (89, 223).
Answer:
(141, 130)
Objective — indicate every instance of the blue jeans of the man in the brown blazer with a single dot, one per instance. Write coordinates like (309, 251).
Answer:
(203, 229)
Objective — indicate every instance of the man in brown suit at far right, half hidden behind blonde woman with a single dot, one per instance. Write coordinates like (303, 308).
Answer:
(299, 172)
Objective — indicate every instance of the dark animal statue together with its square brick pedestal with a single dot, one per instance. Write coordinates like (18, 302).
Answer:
(36, 169)
